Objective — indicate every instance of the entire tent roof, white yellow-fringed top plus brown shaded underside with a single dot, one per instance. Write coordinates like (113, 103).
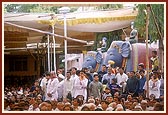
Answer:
(80, 25)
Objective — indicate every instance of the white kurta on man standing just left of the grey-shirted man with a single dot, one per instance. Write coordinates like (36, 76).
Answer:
(80, 87)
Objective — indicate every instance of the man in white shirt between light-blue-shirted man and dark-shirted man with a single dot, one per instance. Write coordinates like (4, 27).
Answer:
(122, 79)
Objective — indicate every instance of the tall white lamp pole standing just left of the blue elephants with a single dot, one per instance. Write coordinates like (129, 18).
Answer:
(65, 42)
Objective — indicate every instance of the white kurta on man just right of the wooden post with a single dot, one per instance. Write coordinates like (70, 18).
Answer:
(154, 88)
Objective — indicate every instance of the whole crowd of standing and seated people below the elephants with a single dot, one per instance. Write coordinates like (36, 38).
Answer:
(83, 90)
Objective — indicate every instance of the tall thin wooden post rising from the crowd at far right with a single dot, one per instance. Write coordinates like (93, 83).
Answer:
(147, 51)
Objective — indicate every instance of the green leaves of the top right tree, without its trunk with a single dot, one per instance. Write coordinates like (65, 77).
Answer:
(140, 21)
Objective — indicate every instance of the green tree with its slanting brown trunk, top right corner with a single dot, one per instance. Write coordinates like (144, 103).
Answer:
(156, 26)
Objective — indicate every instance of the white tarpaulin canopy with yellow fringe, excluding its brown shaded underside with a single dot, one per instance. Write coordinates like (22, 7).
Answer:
(92, 21)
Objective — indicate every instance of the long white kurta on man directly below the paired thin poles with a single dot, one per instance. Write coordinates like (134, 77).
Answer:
(52, 88)
